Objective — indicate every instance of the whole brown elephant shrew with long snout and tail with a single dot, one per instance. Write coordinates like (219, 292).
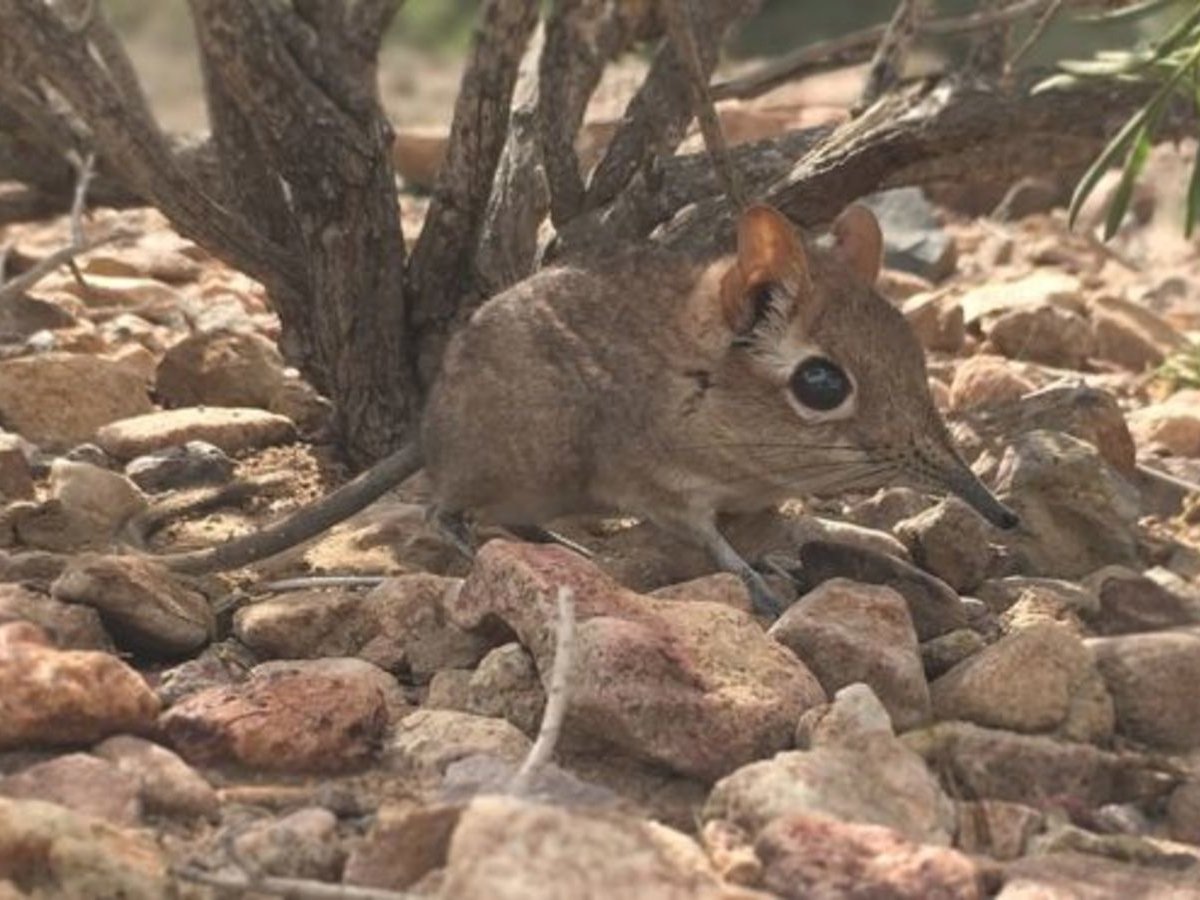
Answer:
(674, 392)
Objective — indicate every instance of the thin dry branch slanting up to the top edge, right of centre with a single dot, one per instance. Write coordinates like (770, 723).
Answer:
(857, 47)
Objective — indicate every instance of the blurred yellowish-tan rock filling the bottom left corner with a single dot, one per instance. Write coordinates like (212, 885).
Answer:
(52, 853)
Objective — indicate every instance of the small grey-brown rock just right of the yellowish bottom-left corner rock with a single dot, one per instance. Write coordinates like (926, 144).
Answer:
(302, 845)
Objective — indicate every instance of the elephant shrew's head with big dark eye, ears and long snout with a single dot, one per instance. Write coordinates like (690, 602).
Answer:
(827, 381)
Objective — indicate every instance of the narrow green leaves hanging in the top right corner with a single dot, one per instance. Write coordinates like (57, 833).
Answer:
(1173, 65)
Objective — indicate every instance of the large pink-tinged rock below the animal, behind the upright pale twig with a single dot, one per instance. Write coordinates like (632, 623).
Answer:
(693, 686)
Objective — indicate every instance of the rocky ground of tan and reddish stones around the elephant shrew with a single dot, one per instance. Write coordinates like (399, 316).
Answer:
(944, 712)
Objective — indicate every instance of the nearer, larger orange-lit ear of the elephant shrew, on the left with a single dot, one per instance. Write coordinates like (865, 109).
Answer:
(771, 268)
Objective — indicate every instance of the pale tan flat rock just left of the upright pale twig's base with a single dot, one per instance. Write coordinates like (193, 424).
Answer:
(427, 742)
